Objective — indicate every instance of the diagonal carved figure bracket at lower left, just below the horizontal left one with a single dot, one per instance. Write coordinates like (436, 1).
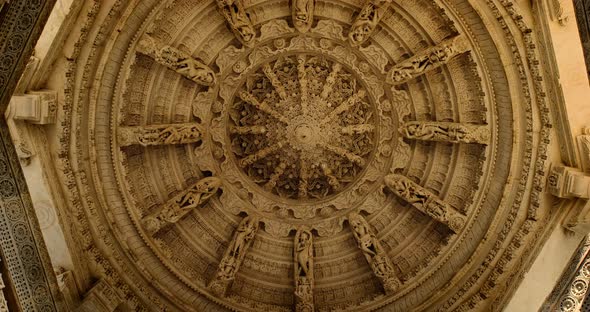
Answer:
(182, 204)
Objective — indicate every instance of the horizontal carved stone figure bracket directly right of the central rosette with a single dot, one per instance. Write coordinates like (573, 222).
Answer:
(446, 132)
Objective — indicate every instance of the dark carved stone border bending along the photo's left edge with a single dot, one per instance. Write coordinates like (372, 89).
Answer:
(26, 258)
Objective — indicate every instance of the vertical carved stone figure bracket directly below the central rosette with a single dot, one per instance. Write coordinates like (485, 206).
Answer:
(304, 279)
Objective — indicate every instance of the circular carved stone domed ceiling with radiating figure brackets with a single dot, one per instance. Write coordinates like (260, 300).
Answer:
(302, 155)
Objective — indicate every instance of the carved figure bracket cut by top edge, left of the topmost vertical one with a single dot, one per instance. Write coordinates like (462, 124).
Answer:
(238, 19)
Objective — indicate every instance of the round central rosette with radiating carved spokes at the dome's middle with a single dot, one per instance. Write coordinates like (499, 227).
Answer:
(302, 126)
